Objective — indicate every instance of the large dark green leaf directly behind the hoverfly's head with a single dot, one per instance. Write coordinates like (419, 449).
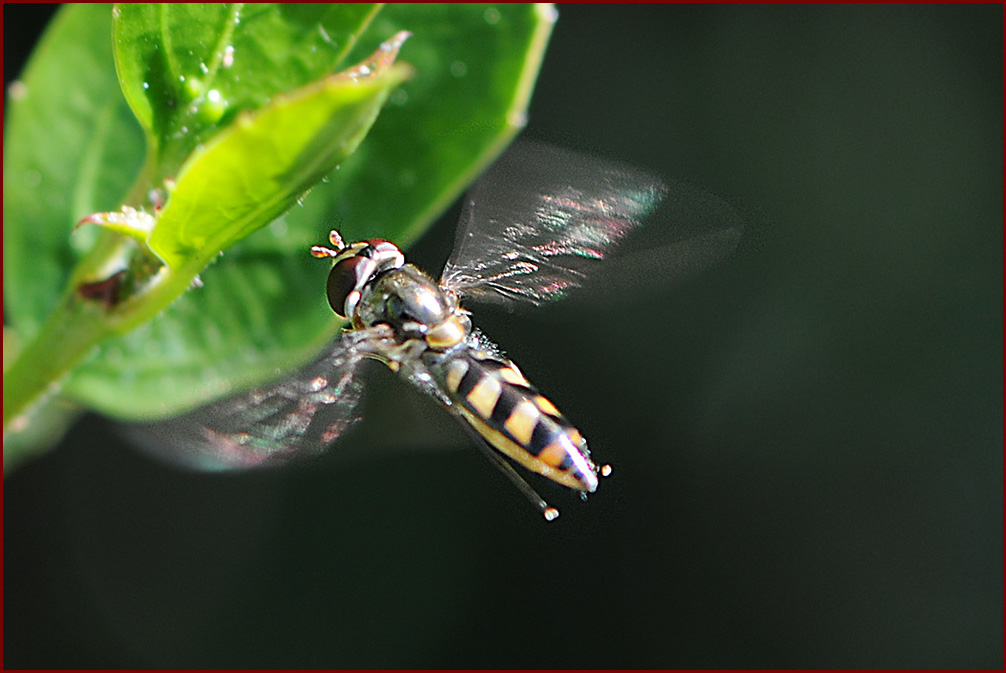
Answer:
(262, 309)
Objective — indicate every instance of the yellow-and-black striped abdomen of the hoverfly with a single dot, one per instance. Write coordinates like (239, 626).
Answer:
(496, 400)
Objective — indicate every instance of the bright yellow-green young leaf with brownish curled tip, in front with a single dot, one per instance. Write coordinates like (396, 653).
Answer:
(255, 171)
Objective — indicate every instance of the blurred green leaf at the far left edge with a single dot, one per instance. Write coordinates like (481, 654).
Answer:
(72, 148)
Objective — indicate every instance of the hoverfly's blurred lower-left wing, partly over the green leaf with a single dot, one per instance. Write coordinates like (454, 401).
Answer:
(294, 418)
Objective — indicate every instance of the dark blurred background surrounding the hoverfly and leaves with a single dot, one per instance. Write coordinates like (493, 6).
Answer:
(807, 437)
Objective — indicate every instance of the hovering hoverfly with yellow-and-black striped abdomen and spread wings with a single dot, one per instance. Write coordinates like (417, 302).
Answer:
(533, 230)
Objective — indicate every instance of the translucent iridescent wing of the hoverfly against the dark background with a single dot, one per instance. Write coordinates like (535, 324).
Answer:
(539, 222)
